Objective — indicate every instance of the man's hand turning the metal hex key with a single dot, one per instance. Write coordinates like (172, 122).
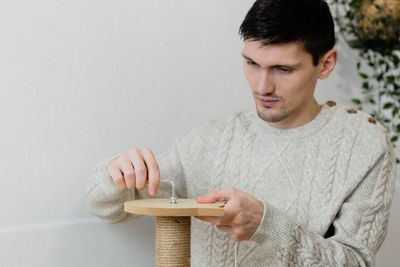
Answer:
(134, 169)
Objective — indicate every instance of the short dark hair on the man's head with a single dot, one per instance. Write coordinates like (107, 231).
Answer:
(308, 22)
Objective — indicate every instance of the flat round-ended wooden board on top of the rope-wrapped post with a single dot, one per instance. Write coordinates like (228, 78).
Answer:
(183, 207)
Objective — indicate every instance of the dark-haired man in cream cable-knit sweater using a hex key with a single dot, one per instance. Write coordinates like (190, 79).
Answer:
(304, 184)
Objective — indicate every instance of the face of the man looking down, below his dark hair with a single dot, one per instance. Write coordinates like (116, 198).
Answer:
(282, 78)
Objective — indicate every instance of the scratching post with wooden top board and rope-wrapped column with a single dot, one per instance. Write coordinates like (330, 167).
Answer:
(173, 226)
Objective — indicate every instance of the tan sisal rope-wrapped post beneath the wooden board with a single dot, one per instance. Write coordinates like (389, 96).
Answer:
(173, 241)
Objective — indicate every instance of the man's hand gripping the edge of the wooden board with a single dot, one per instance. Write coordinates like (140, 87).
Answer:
(242, 212)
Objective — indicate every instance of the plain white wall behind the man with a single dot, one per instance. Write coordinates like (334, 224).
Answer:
(84, 80)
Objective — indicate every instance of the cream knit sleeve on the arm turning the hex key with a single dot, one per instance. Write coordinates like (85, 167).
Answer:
(106, 201)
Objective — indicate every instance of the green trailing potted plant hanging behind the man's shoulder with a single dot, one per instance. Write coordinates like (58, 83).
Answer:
(373, 27)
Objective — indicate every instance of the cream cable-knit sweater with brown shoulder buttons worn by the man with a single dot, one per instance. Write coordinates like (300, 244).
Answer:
(326, 186)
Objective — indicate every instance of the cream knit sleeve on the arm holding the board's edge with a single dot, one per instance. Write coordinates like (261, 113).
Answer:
(360, 225)
